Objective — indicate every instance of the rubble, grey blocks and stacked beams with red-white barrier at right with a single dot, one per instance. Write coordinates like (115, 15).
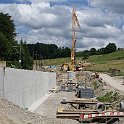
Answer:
(87, 108)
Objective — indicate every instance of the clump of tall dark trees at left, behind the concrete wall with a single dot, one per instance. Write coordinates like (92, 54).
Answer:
(9, 48)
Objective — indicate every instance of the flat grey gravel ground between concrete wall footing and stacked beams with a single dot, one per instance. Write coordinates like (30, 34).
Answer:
(49, 107)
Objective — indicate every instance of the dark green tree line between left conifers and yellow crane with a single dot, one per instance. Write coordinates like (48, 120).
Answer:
(48, 51)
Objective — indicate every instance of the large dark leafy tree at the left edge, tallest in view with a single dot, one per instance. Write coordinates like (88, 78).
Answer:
(7, 37)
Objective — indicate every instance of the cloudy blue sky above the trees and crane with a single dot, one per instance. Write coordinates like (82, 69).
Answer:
(49, 21)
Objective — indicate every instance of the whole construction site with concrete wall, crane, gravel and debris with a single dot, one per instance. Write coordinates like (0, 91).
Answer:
(66, 94)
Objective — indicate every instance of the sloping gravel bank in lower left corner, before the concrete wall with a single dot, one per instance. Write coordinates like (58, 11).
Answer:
(13, 114)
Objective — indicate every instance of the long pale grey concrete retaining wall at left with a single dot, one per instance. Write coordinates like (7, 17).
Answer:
(24, 87)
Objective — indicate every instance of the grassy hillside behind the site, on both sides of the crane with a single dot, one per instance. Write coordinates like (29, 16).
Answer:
(100, 63)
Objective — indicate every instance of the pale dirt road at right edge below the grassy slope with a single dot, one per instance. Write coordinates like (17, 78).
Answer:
(115, 83)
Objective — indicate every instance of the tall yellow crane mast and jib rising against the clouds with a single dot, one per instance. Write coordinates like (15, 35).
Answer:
(75, 23)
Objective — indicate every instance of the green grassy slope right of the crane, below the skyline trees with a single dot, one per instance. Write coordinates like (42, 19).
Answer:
(104, 62)
